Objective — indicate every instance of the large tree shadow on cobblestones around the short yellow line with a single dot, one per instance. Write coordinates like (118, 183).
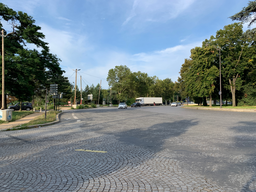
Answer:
(56, 154)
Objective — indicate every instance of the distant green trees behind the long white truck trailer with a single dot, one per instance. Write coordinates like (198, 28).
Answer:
(129, 85)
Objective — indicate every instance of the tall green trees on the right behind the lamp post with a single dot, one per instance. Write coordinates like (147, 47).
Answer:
(235, 51)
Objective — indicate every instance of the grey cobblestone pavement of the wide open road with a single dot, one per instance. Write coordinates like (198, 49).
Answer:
(144, 149)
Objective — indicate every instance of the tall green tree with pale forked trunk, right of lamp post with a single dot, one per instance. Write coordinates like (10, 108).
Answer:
(236, 53)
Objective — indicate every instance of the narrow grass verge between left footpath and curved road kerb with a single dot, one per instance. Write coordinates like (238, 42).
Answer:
(50, 117)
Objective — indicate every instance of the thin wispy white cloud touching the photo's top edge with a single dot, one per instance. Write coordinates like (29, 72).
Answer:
(156, 11)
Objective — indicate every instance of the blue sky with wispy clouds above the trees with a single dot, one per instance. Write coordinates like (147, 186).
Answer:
(151, 36)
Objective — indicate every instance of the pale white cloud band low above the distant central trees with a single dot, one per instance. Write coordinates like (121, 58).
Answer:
(164, 63)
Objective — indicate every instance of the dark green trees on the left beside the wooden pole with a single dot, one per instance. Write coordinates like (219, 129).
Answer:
(28, 72)
